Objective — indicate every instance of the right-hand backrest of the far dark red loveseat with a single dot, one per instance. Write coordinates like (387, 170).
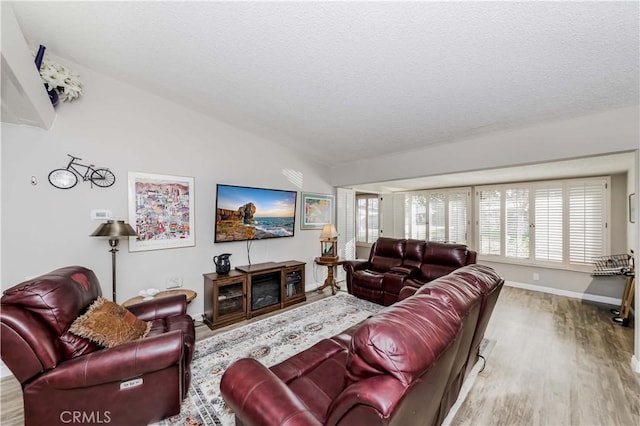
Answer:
(442, 258)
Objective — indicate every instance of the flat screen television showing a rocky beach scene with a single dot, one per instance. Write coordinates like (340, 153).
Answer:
(245, 213)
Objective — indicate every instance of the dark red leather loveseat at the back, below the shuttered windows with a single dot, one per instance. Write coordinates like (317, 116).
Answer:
(395, 262)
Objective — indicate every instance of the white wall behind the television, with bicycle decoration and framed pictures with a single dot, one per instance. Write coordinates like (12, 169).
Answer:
(125, 129)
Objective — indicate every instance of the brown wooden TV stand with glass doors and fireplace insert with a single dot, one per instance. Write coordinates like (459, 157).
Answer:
(252, 290)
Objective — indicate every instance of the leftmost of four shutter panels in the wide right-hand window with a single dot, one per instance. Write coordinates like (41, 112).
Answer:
(489, 219)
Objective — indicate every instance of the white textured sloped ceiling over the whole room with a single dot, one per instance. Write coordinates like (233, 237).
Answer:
(361, 79)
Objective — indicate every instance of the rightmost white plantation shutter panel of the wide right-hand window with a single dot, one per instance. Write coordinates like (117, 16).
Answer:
(587, 220)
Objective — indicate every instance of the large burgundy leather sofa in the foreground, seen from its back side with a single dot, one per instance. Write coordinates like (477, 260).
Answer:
(403, 366)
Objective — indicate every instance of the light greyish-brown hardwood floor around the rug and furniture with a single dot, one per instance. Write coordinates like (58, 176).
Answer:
(557, 361)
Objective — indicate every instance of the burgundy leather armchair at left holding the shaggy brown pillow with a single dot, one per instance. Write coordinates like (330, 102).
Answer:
(64, 376)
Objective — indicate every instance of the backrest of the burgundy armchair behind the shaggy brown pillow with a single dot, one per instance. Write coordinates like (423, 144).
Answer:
(36, 315)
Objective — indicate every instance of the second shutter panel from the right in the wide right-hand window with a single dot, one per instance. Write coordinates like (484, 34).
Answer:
(549, 223)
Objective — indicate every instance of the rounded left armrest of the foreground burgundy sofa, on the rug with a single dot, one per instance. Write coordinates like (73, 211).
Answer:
(259, 397)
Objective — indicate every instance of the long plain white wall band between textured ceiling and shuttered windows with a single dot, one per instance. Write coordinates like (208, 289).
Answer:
(600, 133)
